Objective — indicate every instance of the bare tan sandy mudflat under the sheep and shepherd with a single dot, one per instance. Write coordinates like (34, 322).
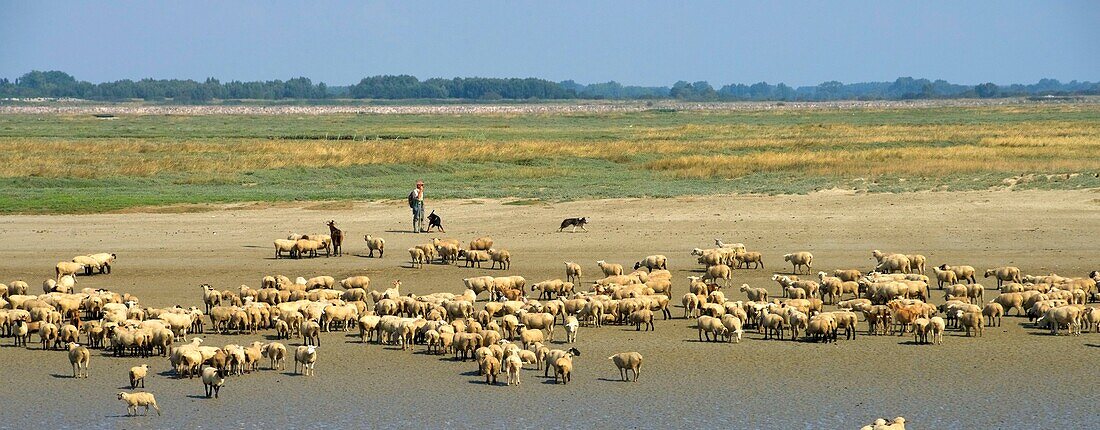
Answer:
(1013, 378)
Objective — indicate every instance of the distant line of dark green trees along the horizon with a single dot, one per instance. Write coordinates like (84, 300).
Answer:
(62, 85)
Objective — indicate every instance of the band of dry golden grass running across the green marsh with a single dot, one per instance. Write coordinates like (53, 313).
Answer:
(706, 150)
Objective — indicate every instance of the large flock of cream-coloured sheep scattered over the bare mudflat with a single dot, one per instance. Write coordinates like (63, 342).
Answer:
(510, 329)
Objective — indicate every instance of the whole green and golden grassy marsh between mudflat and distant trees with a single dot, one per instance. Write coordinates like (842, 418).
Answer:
(73, 164)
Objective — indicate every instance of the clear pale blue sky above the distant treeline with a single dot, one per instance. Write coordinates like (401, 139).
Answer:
(632, 42)
